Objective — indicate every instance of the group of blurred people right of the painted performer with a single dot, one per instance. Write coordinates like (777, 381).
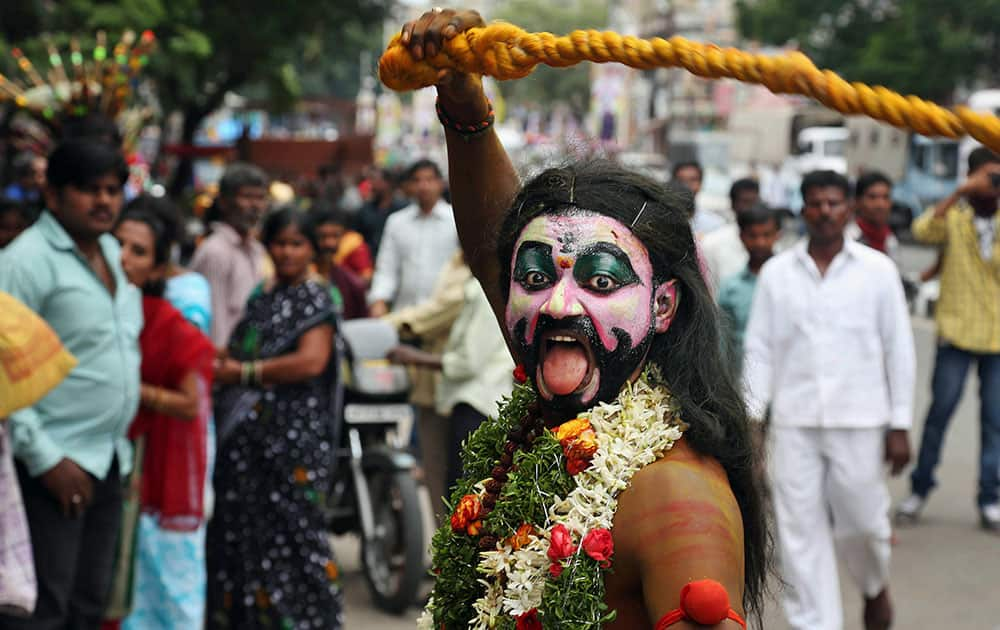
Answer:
(822, 336)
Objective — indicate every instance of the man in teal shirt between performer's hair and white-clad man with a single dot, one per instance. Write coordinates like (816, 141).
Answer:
(760, 229)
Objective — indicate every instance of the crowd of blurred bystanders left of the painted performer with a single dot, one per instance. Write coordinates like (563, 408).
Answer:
(135, 521)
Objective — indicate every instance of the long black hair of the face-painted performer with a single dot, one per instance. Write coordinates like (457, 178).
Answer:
(691, 355)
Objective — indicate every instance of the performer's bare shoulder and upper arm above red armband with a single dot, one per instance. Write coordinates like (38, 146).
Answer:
(678, 522)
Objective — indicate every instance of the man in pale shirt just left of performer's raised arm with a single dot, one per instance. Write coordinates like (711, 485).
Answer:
(417, 243)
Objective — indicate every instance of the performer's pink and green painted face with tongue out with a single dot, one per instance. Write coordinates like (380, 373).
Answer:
(583, 307)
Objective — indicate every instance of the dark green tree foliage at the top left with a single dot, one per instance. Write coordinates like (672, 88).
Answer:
(209, 47)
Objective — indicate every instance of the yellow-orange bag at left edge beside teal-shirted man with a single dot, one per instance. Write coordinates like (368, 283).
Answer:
(32, 359)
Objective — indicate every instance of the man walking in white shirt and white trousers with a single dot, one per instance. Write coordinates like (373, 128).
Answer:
(829, 346)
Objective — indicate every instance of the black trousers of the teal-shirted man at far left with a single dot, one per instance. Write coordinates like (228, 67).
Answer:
(74, 557)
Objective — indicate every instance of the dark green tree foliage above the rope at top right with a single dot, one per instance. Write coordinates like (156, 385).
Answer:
(922, 47)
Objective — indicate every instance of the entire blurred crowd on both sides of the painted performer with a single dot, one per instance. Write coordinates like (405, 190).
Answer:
(176, 476)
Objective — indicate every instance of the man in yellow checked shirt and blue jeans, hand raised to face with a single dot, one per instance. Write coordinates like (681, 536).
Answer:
(964, 225)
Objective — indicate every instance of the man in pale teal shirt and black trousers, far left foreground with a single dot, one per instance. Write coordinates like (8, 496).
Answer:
(70, 447)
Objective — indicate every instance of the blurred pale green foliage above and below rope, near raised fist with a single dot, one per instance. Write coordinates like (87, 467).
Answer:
(546, 86)
